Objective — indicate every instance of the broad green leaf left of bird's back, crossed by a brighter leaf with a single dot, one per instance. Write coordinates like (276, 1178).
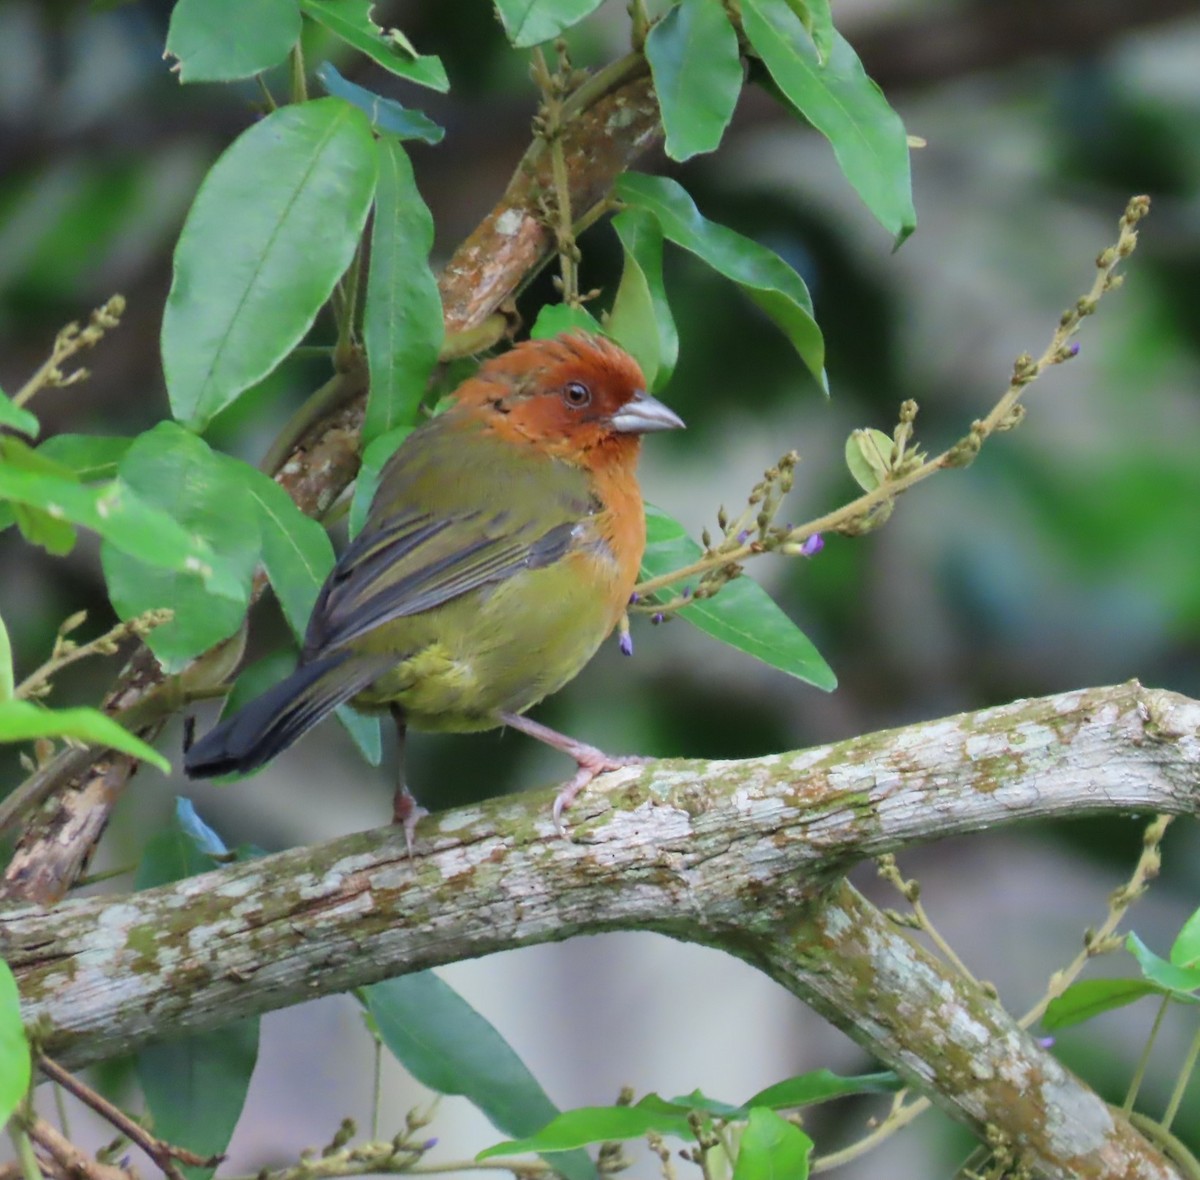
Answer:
(178, 471)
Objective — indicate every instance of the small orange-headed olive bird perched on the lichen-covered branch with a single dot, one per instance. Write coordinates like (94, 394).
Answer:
(500, 552)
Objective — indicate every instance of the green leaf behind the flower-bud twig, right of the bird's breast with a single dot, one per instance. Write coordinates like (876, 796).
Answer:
(742, 615)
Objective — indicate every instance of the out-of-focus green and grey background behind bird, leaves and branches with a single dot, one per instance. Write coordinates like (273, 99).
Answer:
(1067, 556)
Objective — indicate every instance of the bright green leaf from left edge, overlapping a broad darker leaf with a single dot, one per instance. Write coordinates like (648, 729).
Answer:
(125, 520)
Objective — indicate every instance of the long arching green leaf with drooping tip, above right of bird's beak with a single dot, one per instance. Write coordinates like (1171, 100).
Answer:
(763, 275)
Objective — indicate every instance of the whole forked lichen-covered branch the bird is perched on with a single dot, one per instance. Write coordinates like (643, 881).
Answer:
(734, 855)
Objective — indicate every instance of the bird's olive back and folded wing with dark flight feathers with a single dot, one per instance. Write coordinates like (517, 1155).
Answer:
(415, 555)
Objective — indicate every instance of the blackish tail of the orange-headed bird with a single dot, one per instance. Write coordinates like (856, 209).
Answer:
(271, 723)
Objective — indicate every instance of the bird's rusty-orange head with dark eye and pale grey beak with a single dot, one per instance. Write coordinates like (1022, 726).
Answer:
(575, 397)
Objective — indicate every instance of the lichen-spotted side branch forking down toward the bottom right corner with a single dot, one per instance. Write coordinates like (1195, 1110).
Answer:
(949, 1039)
